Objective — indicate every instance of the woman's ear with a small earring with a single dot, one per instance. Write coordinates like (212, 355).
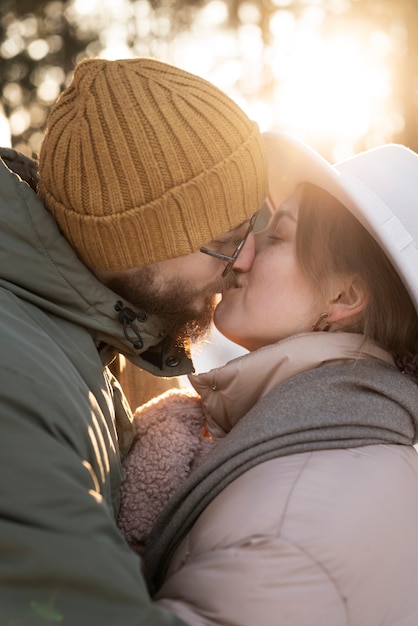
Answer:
(350, 301)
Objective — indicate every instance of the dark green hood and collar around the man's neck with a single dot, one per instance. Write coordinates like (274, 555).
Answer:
(39, 265)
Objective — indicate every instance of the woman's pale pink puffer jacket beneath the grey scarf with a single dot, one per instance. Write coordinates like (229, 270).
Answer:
(323, 538)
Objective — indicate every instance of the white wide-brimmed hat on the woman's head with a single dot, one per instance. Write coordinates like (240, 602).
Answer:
(379, 187)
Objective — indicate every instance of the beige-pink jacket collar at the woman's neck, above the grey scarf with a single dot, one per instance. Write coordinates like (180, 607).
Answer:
(230, 391)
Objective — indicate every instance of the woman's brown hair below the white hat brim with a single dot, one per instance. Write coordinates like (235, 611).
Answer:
(331, 241)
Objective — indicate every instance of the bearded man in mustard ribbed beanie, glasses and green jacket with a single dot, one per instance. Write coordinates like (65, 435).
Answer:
(142, 166)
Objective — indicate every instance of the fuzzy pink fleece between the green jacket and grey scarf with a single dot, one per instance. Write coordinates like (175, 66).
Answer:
(170, 441)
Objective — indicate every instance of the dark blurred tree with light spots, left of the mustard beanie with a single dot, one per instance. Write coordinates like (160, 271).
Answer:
(38, 49)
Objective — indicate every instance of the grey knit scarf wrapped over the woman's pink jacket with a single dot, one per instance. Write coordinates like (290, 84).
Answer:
(356, 403)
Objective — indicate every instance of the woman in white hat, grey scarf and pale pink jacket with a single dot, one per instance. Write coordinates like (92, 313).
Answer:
(306, 510)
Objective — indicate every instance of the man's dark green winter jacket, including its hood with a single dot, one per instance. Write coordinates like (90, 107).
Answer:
(63, 421)
